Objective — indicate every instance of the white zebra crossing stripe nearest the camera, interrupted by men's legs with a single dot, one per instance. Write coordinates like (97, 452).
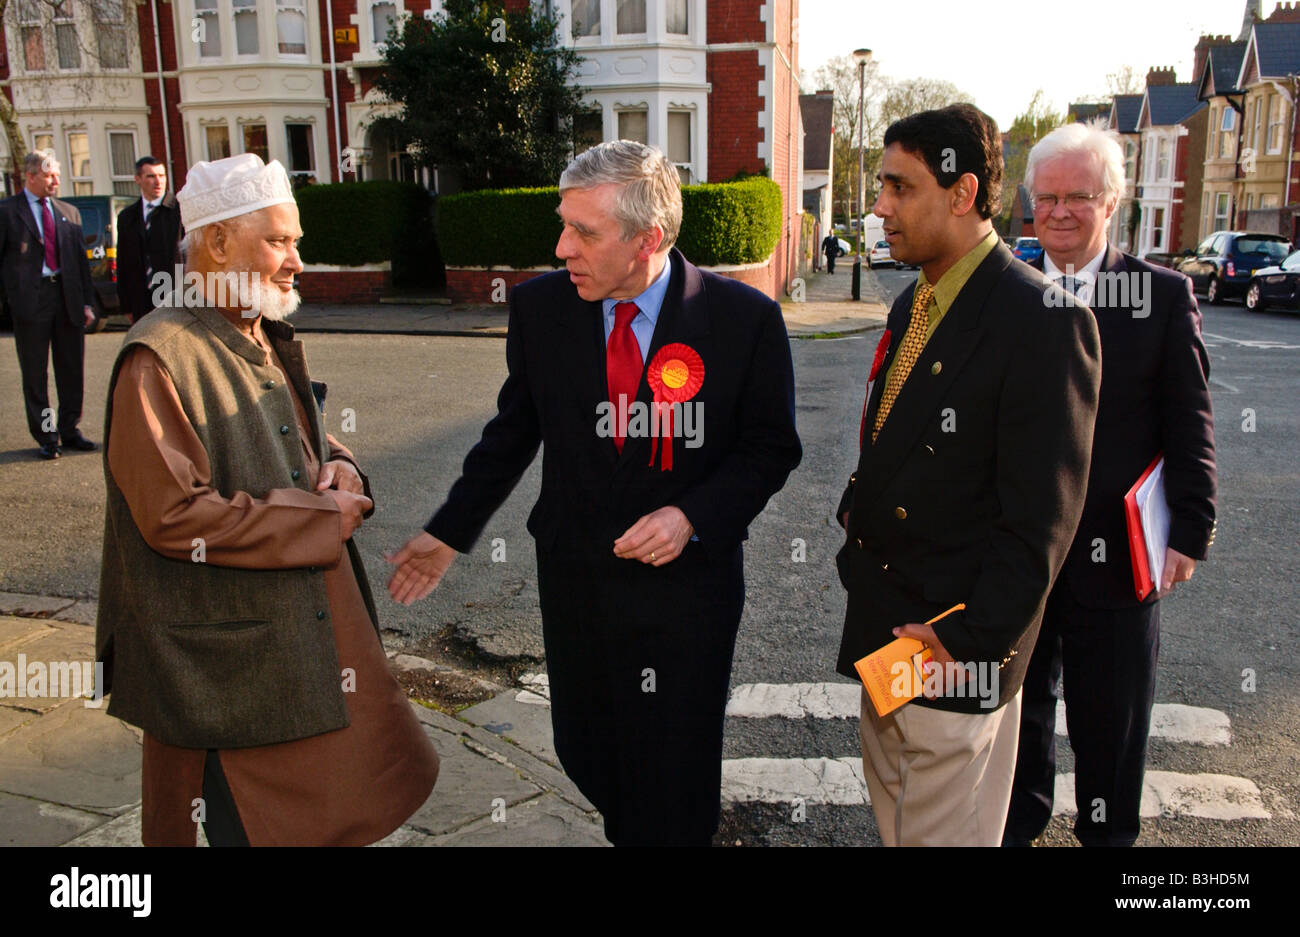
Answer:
(839, 782)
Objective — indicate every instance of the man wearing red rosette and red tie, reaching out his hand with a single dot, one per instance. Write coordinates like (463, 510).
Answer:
(639, 527)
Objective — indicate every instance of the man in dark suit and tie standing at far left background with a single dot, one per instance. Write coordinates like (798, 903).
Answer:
(49, 293)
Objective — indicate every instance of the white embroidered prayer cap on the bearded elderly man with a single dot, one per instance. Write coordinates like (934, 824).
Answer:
(220, 190)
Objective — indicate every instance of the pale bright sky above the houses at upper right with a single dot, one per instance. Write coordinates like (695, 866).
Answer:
(1002, 51)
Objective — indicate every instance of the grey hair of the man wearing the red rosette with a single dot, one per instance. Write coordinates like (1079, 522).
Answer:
(651, 189)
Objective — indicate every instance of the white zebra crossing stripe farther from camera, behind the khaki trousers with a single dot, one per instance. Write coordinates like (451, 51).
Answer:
(1173, 722)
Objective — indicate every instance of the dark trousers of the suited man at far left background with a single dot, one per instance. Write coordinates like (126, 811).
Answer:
(36, 339)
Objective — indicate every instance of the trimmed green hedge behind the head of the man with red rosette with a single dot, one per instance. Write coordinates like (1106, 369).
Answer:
(729, 223)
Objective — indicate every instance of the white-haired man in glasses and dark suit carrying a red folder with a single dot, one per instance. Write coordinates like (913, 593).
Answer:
(1155, 400)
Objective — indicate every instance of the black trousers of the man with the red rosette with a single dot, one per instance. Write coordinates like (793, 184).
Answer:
(640, 661)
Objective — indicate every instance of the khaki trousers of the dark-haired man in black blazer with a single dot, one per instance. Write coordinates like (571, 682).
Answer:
(941, 779)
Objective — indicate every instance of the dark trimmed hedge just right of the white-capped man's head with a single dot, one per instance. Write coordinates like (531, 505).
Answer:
(369, 223)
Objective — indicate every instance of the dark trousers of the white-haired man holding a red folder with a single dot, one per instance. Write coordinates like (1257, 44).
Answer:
(1108, 660)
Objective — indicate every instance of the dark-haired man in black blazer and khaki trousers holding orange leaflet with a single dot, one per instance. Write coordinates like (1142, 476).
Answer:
(970, 481)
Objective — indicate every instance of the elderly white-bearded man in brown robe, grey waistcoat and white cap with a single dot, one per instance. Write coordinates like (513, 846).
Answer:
(236, 622)
